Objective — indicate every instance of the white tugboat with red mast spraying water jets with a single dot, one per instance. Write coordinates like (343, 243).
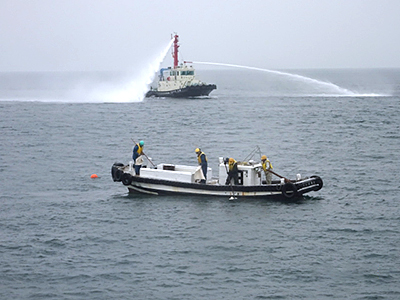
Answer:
(179, 81)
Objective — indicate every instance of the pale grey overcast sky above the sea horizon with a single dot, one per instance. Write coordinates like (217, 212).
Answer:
(86, 35)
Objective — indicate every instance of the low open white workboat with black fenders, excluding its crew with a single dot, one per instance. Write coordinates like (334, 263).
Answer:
(187, 180)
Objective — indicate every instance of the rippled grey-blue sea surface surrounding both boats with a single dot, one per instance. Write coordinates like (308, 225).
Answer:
(64, 235)
